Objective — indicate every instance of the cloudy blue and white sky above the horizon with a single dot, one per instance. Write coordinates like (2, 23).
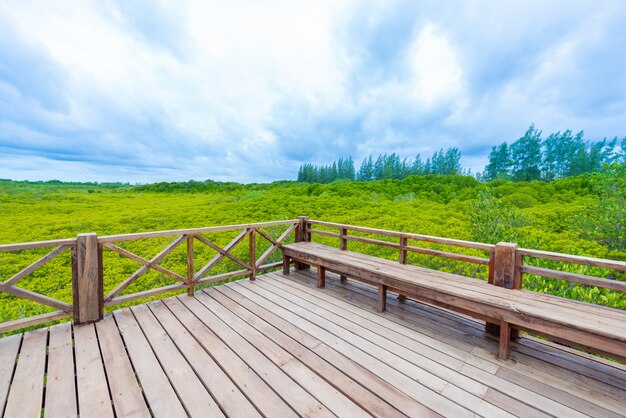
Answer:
(142, 91)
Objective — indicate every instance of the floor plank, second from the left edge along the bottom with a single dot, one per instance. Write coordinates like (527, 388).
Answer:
(26, 395)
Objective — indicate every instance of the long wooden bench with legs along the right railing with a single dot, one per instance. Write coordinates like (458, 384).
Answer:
(591, 327)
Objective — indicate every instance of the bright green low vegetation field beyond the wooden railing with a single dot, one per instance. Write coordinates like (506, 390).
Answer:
(576, 215)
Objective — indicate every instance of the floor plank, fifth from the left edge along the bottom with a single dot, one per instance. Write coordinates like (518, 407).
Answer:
(127, 396)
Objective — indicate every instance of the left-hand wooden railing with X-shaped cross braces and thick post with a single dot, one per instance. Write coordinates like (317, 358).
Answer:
(87, 273)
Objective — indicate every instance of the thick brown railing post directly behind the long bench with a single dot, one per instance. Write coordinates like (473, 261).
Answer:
(504, 274)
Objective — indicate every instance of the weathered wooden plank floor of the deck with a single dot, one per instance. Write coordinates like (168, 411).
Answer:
(281, 347)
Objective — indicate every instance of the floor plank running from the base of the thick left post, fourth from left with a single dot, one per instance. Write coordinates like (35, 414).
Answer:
(91, 382)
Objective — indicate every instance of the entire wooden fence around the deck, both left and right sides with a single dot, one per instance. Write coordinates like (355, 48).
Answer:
(504, 261)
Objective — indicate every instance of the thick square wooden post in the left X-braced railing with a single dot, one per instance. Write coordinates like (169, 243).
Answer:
(88, 297)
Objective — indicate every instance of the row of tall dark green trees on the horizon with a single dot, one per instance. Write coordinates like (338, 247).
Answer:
(559, 155)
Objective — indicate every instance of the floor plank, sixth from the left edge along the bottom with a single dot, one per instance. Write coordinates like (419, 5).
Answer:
(161, 397)
